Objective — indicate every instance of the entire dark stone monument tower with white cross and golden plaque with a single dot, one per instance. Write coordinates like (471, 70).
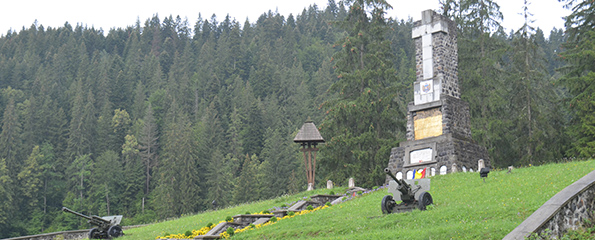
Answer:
(438, 125)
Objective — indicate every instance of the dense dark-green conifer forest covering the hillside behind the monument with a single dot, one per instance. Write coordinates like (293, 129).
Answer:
(164, 117)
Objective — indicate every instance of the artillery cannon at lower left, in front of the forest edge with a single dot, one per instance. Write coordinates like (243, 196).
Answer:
(106, 227)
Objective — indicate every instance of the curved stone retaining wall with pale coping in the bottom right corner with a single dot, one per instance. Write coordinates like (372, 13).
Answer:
(565, 211)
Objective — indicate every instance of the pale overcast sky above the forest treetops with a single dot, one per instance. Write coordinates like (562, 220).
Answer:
(107, 14)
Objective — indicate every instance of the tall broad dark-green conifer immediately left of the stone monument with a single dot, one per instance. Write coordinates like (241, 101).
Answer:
(362, 121)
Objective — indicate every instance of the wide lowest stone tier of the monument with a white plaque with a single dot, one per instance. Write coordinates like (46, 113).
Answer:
(438, 155)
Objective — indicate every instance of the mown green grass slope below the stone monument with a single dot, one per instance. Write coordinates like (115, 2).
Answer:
(465, 207)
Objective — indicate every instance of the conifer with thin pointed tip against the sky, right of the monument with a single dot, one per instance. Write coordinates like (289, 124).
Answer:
(533, 99)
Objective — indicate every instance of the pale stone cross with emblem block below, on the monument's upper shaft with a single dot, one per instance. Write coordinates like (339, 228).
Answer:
(424, 90)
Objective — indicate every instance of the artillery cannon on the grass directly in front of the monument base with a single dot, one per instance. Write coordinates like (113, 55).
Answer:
(412, 193)
